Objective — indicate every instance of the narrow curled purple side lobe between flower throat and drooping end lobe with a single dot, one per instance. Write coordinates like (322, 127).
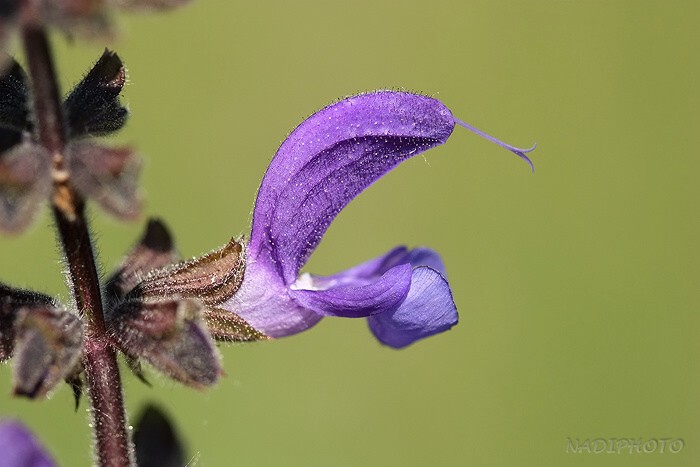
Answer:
(363, 298)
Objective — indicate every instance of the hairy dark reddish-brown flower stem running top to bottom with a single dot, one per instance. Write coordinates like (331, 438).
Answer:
(113, 447)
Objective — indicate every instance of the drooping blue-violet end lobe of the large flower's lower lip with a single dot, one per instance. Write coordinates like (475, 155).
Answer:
(428, 309)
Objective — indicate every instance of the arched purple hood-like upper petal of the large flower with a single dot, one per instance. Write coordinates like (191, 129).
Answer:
(331, 158)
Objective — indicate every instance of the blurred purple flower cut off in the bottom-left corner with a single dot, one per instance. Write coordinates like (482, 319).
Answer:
(19, 448)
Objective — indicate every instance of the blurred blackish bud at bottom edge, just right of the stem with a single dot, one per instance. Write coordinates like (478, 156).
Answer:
(156, 441)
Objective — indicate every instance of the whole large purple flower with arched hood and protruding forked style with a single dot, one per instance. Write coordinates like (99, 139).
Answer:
(326, 162)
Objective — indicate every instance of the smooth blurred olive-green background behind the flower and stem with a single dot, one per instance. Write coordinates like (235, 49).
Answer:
(577, 286)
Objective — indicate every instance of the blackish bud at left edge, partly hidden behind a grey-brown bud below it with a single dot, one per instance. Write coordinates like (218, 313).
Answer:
(12, 301)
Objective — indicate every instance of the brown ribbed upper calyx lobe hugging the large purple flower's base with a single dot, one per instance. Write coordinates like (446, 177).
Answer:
(212, 278)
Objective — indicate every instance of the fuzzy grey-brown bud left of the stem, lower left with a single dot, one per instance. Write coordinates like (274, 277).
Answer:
(48, 347)
